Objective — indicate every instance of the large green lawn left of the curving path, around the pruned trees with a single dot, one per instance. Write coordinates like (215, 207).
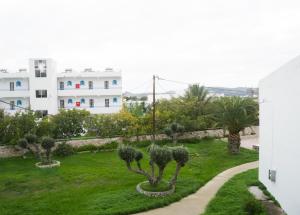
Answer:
(99, 183)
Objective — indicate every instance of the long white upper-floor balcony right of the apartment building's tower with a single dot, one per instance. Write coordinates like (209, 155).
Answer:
(89, 92)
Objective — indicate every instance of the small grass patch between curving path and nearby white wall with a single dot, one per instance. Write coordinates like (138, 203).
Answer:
(234, 196)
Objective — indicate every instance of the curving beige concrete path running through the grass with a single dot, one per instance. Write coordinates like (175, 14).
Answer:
(196, 203)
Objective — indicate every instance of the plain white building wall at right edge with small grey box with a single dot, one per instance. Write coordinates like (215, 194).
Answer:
(279, 135)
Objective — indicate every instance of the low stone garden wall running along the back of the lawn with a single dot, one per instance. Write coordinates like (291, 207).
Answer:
(11, 151)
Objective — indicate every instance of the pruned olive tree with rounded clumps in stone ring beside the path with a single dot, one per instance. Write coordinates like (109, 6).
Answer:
(160, 157)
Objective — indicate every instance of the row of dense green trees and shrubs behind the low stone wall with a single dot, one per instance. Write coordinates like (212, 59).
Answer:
(195, 110)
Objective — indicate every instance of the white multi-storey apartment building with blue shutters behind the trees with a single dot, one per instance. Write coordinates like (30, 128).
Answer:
(42, 88)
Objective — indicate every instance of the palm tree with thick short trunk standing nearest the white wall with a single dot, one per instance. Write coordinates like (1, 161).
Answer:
(235, 114)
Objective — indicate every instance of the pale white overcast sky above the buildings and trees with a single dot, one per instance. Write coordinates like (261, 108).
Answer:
(216, 43)
